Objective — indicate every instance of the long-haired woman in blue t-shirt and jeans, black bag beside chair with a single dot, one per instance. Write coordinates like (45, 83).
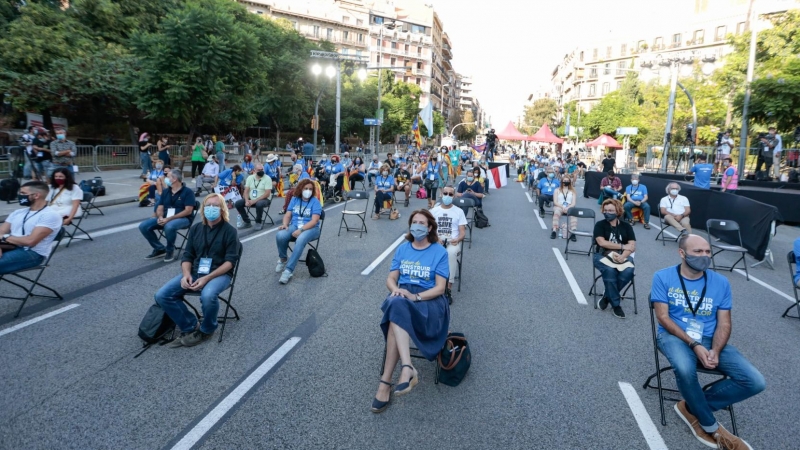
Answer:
(301, 222)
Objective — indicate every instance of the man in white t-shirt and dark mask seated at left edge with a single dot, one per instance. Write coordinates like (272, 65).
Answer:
(31, 229)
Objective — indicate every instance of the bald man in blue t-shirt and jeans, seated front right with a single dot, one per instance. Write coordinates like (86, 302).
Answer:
(694, 333)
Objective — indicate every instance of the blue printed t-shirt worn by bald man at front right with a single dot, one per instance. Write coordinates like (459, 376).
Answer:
(667, 289)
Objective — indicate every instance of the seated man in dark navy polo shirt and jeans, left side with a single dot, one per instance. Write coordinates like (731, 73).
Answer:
(172, 214)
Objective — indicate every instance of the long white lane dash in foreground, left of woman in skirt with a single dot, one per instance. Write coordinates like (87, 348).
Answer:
(195, 434)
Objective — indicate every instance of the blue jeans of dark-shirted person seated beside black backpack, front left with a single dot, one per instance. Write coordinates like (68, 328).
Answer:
(170, 296)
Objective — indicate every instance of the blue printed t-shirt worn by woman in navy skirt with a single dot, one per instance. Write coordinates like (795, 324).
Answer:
(420, 267)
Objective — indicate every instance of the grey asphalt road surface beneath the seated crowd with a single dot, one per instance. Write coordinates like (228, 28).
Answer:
(300, 369)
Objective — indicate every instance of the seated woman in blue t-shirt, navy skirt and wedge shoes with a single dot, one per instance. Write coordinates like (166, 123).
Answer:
(416, 308)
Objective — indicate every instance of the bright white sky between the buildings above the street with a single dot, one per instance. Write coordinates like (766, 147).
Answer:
(510, 47)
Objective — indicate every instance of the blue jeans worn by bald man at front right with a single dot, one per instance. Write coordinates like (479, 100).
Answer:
(745, 380)
